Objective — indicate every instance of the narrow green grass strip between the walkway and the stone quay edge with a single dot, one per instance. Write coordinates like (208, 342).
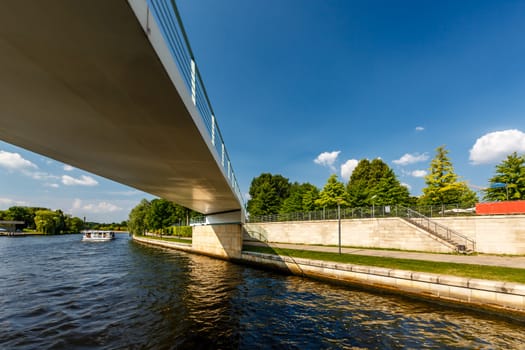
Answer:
(462, 270)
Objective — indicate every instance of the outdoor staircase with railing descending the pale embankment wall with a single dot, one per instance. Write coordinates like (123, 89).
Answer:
(462, 243)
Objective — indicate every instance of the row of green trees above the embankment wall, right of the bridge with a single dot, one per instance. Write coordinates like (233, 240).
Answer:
(375, 183)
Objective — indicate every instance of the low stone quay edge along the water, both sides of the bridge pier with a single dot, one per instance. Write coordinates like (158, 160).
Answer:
(489, 295)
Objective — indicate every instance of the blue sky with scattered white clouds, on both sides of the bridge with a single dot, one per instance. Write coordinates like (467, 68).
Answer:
(306, 88)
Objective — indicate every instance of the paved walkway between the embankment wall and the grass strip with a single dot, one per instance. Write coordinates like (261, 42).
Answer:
(481, 259)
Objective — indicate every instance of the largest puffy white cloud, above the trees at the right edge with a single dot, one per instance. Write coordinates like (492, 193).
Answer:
(496, 146)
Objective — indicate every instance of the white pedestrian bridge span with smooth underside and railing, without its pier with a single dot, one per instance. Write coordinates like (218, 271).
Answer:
(112, 87)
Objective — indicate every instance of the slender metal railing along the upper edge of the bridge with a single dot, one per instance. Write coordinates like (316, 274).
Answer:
(169, 21)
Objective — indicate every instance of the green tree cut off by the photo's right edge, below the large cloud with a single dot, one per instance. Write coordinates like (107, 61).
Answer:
(509, 181)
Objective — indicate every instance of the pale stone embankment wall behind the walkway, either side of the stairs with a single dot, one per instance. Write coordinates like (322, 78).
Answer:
(492, 234)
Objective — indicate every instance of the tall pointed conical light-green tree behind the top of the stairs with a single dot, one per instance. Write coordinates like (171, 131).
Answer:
(442, 182)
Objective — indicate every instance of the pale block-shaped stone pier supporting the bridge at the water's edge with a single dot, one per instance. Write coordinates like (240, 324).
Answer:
(220, 240)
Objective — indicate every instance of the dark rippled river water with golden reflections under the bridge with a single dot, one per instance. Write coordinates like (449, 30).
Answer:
(60, 293)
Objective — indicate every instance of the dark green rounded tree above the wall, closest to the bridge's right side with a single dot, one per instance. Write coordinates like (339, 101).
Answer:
(268, 193)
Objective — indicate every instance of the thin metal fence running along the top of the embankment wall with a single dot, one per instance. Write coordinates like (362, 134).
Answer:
(366, 212)
